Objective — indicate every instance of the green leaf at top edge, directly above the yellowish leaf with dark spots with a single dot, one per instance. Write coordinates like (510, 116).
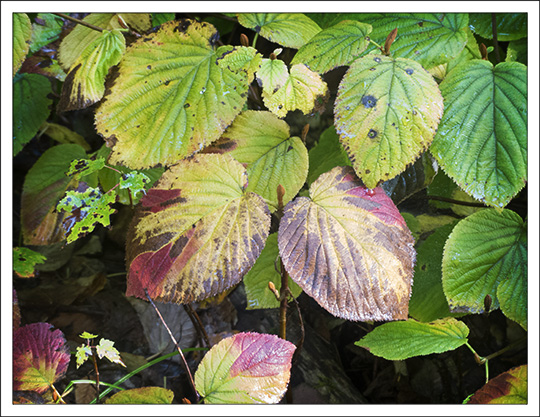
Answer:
(430, 39)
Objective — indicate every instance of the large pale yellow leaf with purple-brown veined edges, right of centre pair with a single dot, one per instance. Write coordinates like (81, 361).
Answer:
(349, 248)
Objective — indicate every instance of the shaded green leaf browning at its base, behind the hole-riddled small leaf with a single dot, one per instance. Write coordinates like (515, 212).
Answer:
(44, 185)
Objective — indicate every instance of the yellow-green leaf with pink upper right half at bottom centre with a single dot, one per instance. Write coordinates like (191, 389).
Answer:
(248, 368)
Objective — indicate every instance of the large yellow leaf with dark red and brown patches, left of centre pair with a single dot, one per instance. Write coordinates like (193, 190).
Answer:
(196, 232)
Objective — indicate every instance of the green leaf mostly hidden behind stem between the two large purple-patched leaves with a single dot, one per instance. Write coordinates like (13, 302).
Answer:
(256, 281)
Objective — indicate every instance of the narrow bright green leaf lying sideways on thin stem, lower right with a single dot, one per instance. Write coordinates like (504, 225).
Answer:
(405, 339)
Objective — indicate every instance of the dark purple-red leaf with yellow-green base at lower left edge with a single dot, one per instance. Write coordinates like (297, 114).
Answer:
(40, 357)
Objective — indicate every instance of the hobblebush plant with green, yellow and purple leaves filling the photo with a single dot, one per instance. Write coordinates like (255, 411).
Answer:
(197, 138)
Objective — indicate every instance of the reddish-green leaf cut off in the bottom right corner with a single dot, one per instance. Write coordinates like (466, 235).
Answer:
(507, 388)
